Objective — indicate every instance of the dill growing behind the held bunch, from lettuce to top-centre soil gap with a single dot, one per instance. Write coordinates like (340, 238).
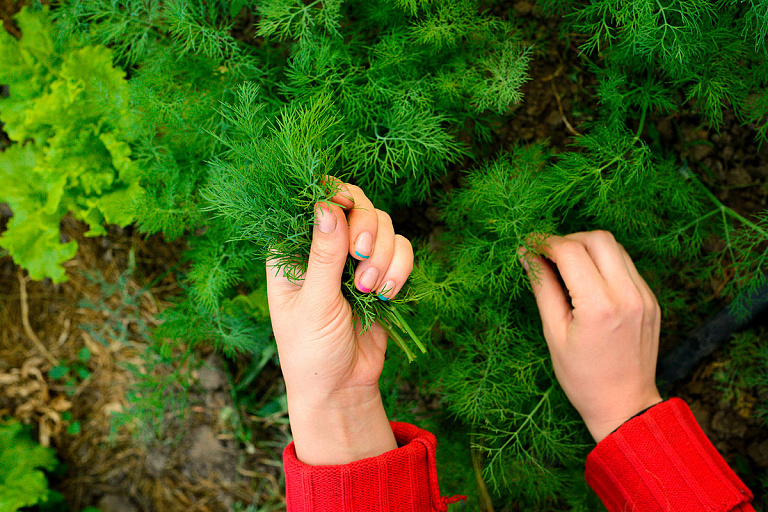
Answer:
(407, 83)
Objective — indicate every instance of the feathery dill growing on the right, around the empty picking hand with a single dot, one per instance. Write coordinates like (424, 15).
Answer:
(493, 372)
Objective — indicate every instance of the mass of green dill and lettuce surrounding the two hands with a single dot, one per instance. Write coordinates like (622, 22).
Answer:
(227, 129)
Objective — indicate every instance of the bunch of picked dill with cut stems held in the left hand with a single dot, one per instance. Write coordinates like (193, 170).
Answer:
(268, 185)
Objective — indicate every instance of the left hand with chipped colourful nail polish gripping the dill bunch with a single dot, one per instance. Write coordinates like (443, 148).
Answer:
(331, 369)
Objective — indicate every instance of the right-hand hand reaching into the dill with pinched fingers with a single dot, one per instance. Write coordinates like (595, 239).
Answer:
(604, 343)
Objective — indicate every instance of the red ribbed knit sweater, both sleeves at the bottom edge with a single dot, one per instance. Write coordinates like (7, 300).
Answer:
(658, 461)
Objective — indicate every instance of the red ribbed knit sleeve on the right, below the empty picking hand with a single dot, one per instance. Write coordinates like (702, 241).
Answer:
(663, 461)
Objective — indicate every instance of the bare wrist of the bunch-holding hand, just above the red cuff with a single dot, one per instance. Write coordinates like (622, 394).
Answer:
(339, 430)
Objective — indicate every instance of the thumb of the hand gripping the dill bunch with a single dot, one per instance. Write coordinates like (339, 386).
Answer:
(330, 246)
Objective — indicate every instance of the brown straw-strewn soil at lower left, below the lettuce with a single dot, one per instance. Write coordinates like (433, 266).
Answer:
(207, 469)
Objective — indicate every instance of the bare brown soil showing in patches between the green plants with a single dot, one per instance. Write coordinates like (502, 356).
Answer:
(210, 466)
